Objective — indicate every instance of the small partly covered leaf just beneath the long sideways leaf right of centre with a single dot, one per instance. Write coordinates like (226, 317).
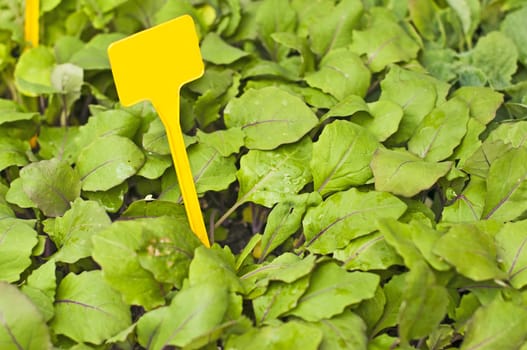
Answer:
(367, 253)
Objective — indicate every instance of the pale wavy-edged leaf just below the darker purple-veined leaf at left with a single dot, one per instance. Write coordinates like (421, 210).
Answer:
(72, 233)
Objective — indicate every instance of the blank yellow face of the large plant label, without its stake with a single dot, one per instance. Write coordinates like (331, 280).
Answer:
(155, 63)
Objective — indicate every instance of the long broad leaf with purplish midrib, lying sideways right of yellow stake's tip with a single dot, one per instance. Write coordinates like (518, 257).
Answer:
(345, 216)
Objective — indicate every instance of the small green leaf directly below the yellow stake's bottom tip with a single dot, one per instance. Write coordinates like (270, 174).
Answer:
(215, 265)
